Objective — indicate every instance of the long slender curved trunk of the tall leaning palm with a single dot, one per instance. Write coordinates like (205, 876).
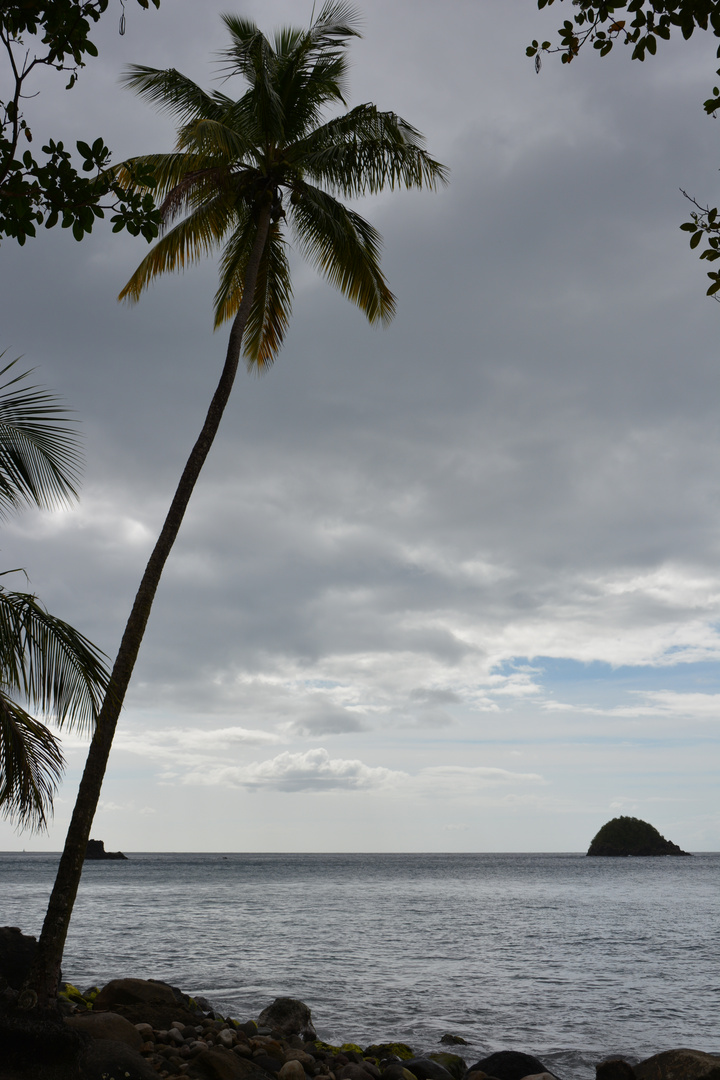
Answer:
(45, 975)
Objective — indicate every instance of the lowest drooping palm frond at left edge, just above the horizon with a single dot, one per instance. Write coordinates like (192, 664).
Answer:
(31, 766)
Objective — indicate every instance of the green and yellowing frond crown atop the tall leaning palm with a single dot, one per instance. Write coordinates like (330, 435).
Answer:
(270, 150)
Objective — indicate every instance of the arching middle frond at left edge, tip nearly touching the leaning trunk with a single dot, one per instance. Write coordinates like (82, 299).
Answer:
(49, 664)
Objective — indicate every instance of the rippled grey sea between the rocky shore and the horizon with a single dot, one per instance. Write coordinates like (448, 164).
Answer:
(568, 958)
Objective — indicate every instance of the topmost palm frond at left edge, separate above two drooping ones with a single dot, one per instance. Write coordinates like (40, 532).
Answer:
(39, 452)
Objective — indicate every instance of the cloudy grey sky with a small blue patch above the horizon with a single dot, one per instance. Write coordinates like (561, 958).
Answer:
(451, 586)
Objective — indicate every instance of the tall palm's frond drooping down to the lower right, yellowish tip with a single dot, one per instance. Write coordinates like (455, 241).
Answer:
(344, 248)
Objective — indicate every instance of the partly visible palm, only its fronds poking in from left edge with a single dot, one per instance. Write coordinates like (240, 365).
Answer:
(44, 661)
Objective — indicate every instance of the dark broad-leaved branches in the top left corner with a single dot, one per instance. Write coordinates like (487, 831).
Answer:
(36, 192)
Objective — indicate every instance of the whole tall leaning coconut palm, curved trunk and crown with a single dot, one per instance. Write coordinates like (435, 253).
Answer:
(242, 172)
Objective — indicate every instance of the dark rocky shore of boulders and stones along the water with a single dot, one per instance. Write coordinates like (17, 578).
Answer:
(141, 1030)
